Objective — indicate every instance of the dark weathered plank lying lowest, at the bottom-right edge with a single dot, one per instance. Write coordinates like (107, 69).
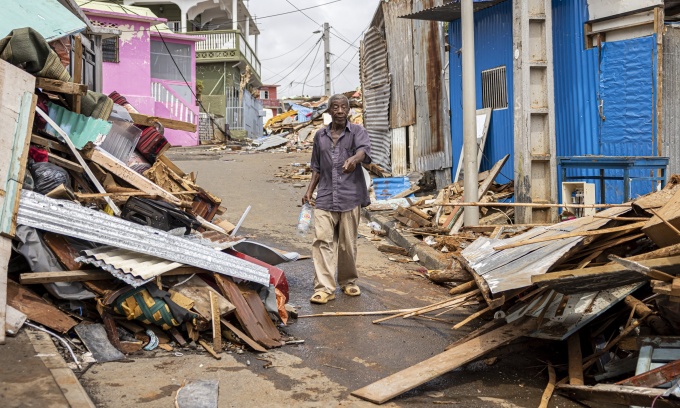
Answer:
(618, 394)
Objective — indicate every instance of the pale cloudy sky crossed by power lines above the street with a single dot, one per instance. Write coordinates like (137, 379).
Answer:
(287, 44)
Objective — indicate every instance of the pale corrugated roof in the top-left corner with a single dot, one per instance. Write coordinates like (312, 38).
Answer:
(48, 17)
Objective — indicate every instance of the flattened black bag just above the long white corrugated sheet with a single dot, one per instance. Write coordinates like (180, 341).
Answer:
(158, 214)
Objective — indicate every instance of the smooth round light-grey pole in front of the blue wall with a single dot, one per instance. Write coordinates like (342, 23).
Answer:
(470, 182)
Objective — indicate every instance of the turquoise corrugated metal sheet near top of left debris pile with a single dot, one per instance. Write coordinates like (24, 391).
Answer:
(80, 128)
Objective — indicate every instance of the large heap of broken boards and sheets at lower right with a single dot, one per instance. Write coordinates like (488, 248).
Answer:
(607, 285)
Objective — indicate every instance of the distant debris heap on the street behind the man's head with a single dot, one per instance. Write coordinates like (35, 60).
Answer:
(296, 127)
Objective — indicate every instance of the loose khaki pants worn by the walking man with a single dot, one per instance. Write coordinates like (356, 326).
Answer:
(335, 248)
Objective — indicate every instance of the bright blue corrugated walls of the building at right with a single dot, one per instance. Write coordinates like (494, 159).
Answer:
(623, 75)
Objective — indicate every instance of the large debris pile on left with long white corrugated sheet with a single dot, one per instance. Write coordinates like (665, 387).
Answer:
(105, 239)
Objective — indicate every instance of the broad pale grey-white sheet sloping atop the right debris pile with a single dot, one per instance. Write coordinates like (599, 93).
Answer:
(513, 268)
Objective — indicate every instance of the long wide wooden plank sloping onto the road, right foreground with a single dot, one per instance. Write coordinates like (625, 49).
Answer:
(409, 378)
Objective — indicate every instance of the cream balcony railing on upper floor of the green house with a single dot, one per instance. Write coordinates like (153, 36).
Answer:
(226, 45)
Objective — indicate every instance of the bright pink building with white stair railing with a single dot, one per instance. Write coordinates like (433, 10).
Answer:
(154, 68)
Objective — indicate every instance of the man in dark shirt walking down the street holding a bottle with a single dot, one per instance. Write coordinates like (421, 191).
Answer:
(338, 152)
